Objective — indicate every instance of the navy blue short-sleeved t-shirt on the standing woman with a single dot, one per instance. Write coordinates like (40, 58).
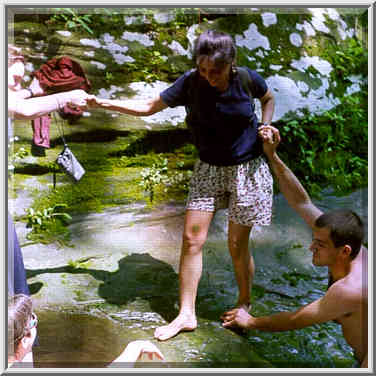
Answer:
(224, 125)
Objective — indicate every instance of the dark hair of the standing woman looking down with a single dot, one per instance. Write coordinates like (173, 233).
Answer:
(219, 47)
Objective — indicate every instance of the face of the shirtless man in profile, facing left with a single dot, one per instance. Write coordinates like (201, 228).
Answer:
(323, 249)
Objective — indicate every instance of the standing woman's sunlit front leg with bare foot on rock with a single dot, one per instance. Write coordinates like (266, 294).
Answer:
(196, 226)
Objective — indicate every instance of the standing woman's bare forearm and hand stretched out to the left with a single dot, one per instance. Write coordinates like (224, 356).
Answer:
(144, 107)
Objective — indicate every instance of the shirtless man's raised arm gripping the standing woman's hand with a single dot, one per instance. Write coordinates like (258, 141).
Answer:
(290, 186)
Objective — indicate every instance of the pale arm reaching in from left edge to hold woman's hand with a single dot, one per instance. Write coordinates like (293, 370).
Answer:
(28, 109)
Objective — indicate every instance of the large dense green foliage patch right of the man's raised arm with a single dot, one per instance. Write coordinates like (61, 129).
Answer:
(330, 150)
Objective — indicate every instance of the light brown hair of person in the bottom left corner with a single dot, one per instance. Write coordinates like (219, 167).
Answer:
(19, 313)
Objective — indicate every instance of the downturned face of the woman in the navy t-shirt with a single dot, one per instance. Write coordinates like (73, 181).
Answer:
(217, 76)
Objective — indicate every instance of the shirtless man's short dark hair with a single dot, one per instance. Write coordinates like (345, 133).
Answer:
(346, 228)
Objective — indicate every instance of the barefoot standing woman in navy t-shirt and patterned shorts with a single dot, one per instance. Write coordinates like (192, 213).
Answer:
(231, 171)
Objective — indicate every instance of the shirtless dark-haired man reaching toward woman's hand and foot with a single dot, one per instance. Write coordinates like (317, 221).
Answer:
(336, 243)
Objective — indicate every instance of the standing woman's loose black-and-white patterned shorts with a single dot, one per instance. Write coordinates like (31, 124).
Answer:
(245, 189)
